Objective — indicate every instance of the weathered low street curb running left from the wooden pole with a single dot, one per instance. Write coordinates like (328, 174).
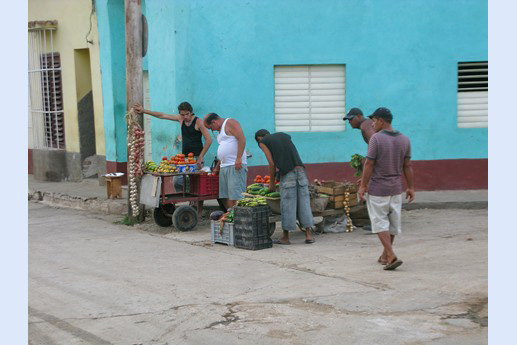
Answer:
(109, 206)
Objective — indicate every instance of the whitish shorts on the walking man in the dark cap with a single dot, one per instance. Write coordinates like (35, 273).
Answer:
(385, 213)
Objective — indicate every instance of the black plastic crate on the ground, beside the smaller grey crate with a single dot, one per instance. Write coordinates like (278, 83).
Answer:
(251, 227)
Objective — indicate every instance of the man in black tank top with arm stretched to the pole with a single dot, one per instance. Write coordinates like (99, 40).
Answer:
(192, 129)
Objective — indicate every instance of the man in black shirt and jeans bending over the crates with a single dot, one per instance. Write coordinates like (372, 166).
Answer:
(294, 186)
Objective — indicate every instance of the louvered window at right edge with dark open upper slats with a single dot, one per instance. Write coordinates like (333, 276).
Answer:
(473, 94)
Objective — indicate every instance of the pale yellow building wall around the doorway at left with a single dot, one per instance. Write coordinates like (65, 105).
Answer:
(73, 17)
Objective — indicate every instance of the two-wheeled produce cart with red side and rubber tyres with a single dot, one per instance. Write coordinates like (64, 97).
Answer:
(197, 186)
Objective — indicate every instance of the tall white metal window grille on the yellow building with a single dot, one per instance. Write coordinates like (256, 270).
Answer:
(45, 90)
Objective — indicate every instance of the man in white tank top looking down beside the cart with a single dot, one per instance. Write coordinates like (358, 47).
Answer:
(232, 166)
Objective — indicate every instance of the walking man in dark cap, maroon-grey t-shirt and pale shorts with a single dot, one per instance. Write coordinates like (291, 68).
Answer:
(388, 159)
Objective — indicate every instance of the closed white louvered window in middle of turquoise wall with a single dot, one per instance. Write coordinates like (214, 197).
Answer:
(310, 98)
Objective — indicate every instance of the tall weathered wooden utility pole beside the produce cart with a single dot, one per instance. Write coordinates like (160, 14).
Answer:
(134, 79)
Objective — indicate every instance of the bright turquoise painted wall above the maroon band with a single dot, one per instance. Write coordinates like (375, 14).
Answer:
(220, 56)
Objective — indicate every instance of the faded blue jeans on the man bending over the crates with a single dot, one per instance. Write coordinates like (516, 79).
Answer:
(295, 200)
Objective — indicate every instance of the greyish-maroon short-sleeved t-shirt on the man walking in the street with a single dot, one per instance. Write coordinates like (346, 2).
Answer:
(388, 150)
